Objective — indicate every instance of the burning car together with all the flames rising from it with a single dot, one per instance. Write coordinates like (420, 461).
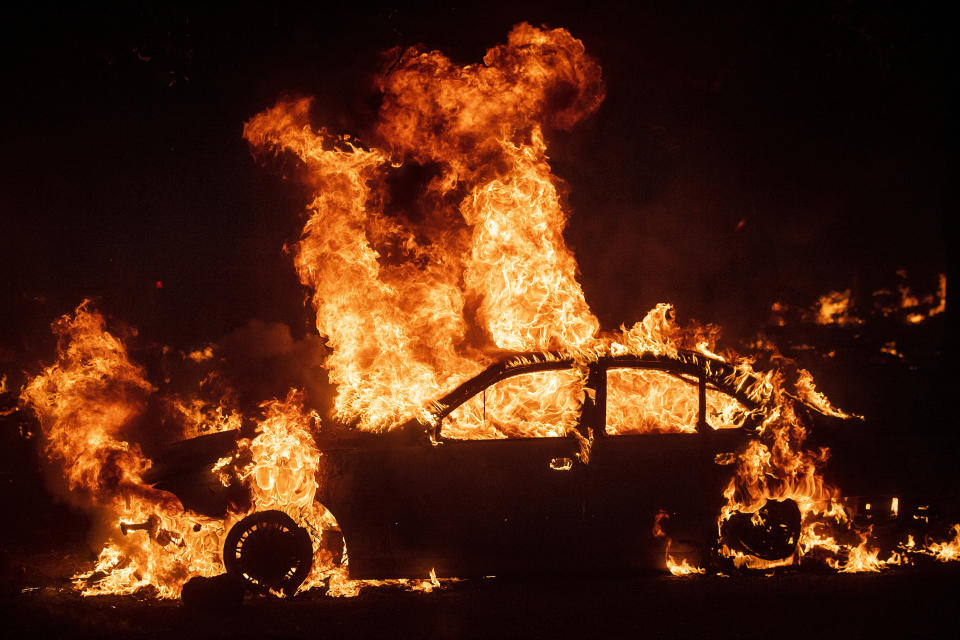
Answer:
(585, 448)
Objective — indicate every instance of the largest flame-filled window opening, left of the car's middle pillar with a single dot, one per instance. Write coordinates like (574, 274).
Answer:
(540, 404)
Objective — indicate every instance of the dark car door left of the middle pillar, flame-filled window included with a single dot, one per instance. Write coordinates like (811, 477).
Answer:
(506, 494)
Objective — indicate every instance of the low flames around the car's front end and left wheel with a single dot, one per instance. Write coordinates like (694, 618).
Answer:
(89, 402)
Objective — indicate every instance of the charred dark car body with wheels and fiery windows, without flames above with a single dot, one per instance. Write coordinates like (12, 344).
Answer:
(541, 463)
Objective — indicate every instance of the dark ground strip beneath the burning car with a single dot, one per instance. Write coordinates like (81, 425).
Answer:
(911, 602)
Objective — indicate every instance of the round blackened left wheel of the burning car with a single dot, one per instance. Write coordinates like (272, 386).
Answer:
(268, 551)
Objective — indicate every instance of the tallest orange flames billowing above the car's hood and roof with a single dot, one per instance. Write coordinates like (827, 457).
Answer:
(396, 295)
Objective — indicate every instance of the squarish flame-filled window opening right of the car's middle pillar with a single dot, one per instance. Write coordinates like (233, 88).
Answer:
(650, 401)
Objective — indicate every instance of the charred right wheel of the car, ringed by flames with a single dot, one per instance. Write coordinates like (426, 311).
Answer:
(772, 533)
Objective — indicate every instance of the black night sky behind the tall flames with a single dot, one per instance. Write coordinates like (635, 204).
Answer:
(745, 153)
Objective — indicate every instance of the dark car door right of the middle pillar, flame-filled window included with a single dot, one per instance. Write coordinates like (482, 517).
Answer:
(651, 455)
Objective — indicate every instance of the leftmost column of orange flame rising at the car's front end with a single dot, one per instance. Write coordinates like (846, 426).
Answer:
(88, 402)
